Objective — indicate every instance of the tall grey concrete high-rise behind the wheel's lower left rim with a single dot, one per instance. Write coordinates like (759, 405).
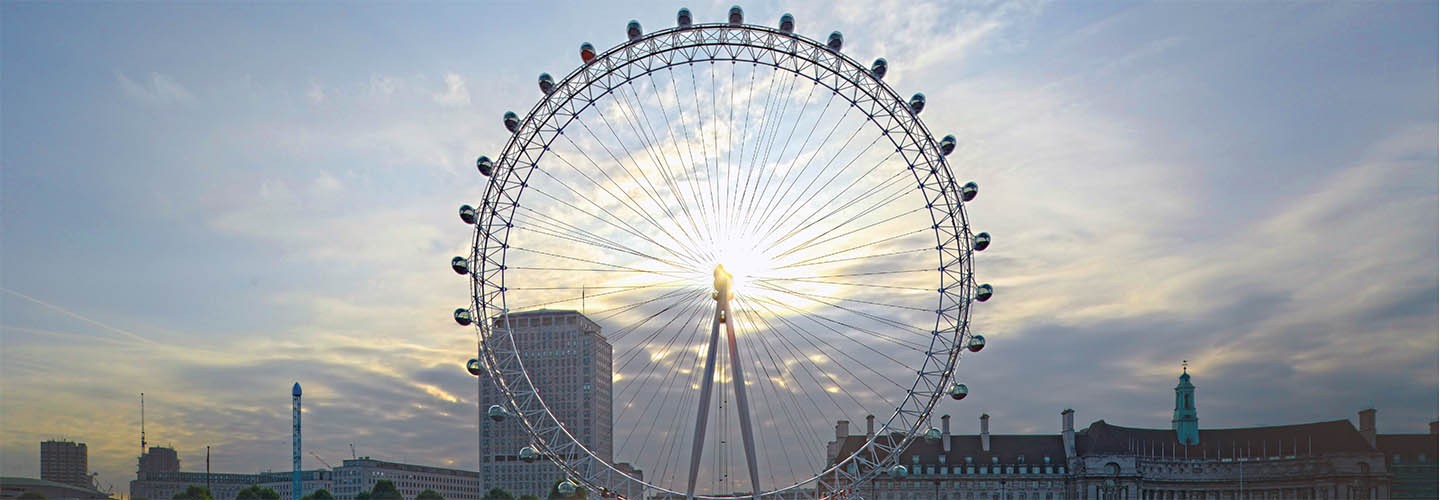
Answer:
(570, 364)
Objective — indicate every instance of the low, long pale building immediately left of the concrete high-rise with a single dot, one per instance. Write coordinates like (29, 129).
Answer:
(361, 475)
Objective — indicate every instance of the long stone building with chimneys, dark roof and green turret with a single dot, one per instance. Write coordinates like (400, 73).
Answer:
(1324, 460)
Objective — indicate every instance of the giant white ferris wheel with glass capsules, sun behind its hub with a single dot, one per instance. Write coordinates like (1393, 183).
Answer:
(728, 184)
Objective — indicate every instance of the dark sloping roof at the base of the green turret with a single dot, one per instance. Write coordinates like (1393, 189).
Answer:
(1252, 442)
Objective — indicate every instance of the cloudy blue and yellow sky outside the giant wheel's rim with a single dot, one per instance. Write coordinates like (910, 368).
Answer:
(210, 202)
